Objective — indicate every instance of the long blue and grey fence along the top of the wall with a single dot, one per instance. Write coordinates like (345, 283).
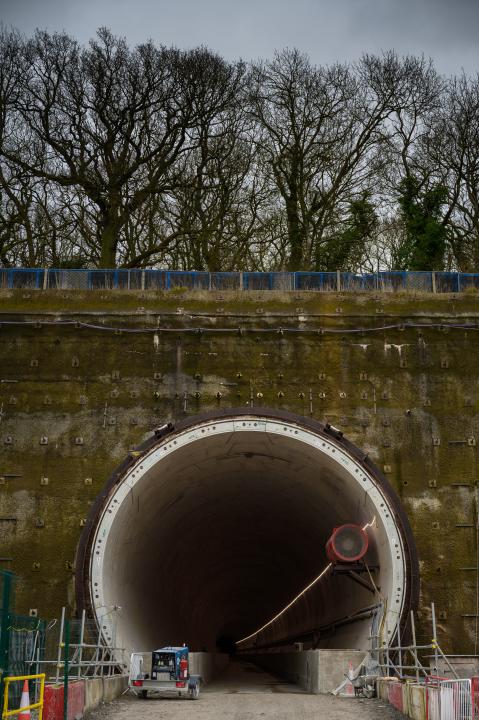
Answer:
(137, 279)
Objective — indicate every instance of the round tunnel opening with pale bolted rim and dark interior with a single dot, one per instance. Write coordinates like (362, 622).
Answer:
(212, 526)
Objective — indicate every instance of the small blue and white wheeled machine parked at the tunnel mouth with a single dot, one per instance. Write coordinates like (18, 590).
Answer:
(168, 676)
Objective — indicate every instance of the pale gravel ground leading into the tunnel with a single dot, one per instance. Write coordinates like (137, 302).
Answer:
(244, 693)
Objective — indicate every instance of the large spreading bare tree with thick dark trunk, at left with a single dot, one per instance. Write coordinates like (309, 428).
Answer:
(113, 122)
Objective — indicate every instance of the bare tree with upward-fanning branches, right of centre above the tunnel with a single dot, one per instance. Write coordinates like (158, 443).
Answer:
(319, 130)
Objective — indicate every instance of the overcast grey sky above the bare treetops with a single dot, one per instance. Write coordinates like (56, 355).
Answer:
(328, 30)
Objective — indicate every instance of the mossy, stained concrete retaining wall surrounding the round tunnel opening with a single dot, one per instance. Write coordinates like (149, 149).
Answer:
(407, 396)
